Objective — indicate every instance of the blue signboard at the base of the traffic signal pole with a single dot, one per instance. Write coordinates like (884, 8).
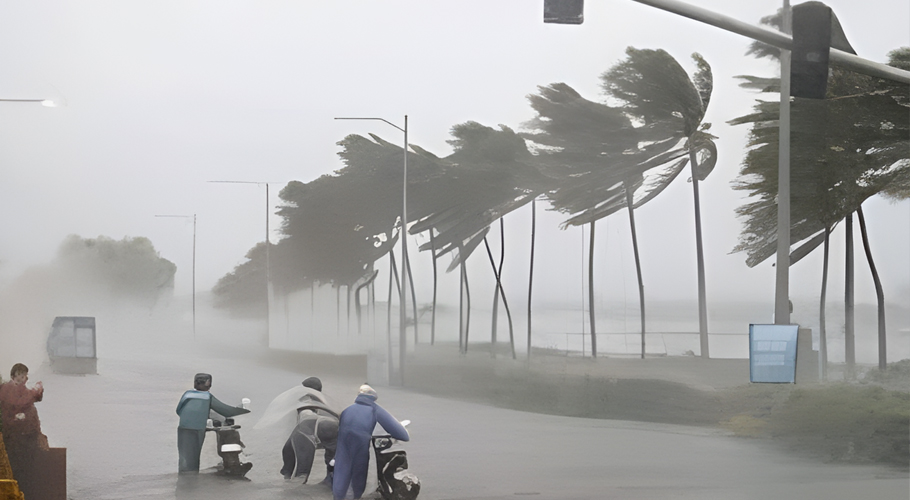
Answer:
(772, 353)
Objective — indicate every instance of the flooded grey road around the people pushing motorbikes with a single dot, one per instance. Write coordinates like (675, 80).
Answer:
(119, 429)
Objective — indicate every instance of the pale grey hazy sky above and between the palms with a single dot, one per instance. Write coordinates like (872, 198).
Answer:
(163, 96)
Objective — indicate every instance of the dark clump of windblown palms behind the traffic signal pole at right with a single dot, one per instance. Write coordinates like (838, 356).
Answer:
(849, 147)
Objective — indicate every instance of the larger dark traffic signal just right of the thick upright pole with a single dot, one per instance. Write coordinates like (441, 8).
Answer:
(811, 46)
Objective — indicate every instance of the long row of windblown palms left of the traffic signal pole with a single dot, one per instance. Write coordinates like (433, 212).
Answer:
(588, 159)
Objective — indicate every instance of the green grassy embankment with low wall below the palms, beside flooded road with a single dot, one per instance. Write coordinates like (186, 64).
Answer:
(863, 421)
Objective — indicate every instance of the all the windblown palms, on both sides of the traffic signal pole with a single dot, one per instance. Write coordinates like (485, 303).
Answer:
(589, 160)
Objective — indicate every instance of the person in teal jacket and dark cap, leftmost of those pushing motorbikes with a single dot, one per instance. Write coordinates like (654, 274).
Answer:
(193, 408)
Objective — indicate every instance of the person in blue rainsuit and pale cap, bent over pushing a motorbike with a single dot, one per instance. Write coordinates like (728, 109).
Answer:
(355, 427)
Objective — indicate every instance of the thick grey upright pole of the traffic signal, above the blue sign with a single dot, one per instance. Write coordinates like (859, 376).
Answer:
(782, 282)
